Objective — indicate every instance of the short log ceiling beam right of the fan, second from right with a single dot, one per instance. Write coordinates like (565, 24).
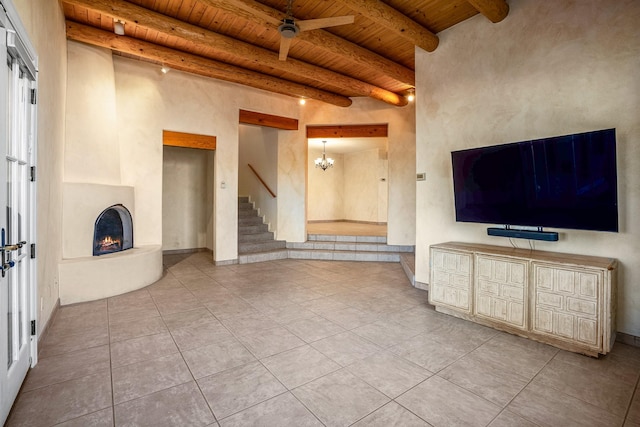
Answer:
(388, 17)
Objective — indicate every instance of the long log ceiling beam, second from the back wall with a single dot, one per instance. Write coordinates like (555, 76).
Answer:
(147, 19)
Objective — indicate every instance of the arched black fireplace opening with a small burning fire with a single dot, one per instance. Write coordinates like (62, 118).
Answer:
(113, 231)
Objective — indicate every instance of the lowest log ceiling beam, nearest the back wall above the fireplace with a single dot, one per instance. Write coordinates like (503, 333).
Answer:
(198, 65)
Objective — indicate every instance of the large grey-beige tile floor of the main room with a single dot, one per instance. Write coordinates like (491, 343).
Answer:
(307, 343)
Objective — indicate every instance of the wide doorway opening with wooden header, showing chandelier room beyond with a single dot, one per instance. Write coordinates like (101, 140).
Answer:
(351, 197)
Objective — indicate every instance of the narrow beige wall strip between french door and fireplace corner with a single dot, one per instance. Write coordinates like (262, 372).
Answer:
(44, 22)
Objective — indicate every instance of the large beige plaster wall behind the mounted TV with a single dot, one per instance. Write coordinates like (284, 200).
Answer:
(550, 68)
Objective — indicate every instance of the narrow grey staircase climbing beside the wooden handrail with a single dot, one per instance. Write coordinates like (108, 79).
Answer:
(255, 241)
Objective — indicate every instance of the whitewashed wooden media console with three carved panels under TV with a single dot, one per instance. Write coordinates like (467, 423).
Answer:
(565, 300)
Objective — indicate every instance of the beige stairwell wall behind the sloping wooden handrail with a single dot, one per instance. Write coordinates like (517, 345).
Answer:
(258, 146)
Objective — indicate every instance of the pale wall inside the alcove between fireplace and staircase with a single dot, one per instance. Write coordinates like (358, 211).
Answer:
(186, 209)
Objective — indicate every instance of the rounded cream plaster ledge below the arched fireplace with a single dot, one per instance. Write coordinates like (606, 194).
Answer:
(96, 277)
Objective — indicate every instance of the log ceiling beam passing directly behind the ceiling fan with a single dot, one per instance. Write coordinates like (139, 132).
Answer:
(268, 17)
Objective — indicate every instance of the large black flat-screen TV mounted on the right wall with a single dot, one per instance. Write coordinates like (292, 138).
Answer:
(566, 181)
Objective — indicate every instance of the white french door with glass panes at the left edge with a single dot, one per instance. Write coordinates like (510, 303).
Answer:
(17, 154)
